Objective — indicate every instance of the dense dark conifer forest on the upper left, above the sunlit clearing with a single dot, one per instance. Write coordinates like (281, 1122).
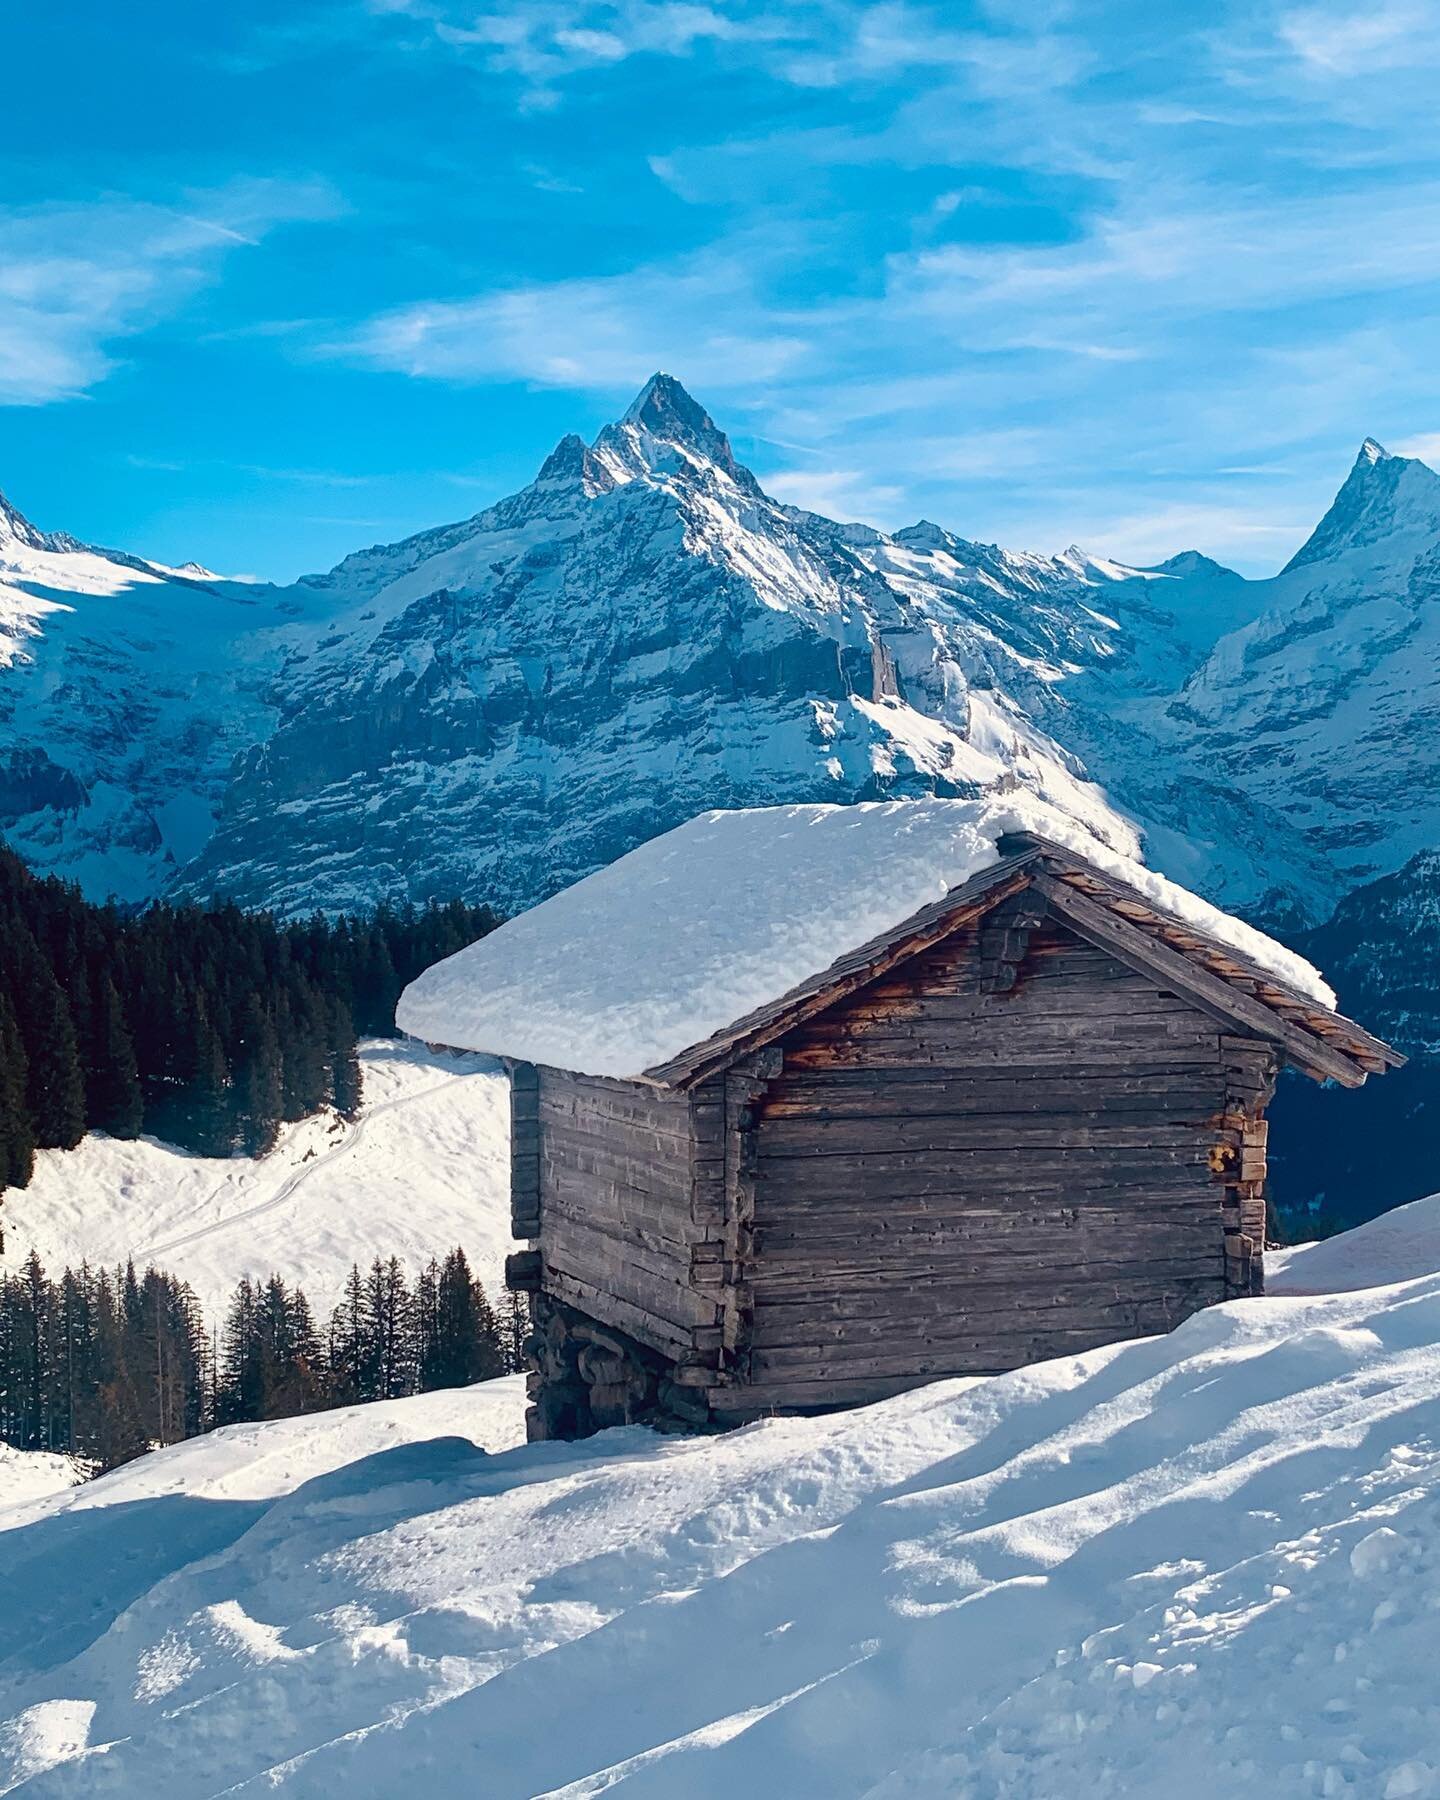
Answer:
(206, 1027)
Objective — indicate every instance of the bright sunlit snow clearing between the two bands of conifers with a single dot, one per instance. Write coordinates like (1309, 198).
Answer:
(424, 1169)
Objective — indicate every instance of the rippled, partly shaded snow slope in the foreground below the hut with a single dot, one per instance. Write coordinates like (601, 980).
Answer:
(1191, 1567)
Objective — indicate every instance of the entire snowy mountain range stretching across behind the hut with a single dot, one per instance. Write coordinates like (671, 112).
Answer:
(499, 706)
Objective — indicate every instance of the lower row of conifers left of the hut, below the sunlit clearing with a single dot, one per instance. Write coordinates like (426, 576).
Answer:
(107, 1365)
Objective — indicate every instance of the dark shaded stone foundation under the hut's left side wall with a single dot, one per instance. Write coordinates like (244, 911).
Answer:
(586, 1378)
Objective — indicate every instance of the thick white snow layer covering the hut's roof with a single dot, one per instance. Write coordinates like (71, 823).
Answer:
(726, 913)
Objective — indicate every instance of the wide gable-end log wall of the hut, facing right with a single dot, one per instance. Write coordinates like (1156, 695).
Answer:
(960, 1182)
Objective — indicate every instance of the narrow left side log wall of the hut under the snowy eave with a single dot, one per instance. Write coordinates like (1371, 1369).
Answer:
(616, 1207)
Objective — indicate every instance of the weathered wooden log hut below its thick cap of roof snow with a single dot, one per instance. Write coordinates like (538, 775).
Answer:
(1027, 1120)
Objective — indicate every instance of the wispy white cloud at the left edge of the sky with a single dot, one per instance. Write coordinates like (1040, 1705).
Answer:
(78, 278)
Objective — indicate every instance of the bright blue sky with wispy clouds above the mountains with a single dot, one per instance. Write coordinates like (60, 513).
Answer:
(280, 280)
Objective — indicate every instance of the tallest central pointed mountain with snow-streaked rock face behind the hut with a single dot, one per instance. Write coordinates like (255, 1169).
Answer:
(638, 636)
